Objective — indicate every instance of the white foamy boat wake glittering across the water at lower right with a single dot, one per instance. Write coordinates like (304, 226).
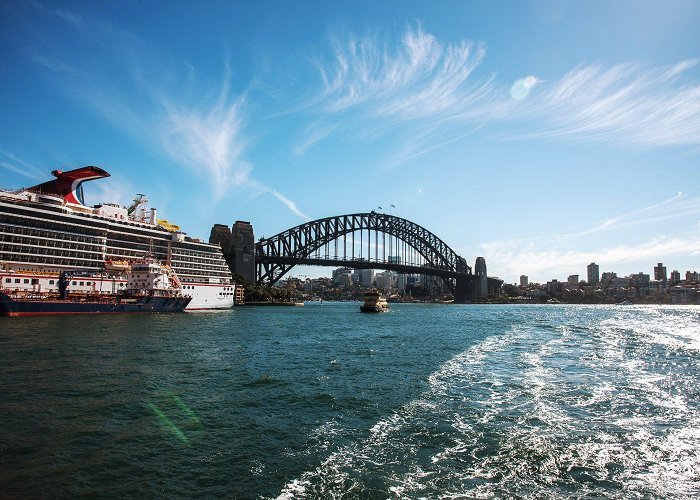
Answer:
(542, 410)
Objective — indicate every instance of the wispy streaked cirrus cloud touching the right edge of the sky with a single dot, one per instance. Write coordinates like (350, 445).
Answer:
(626, 104)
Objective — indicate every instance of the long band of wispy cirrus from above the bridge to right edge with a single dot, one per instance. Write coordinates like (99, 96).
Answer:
(430, 93)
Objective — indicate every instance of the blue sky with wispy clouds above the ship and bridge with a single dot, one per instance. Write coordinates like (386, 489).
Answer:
(540, 135)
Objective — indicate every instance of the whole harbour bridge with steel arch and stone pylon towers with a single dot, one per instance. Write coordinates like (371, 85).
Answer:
(358, 241)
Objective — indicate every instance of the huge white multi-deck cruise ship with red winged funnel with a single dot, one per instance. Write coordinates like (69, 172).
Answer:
(47, 228)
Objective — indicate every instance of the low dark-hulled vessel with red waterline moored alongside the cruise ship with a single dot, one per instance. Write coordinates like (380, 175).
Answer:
(151, 288)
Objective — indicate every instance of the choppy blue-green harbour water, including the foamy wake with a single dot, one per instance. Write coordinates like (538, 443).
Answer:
(323, 402)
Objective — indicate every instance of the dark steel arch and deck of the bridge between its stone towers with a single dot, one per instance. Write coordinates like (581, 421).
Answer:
(276, 255)
